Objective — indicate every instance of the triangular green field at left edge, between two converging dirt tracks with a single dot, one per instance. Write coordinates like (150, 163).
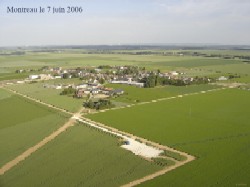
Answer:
(23, 124)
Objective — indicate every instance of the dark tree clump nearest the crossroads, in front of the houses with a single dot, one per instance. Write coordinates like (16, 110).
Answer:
(98, 105)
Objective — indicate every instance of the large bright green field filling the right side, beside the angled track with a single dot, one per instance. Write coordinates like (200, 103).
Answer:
(213, 126)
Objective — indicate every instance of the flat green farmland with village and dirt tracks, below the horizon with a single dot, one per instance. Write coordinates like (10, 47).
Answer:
(102, 128)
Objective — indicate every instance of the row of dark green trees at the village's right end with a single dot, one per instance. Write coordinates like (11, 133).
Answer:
(155, 80)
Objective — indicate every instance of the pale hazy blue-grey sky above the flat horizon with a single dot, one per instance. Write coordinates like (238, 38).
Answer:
(114, 22)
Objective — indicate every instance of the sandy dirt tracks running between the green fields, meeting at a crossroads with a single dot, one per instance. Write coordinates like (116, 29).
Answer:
(72, 121)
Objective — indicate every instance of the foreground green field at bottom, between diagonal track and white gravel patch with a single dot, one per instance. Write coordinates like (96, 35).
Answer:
(81, 156)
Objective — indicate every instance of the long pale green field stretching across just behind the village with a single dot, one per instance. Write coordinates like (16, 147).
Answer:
(71, 59)
